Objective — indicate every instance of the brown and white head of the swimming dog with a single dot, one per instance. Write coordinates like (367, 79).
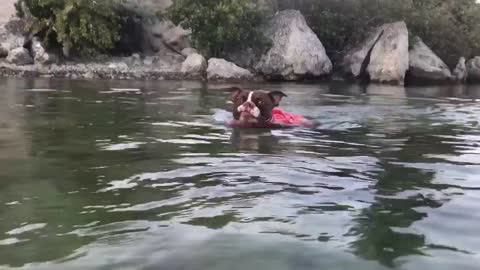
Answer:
(254, 106)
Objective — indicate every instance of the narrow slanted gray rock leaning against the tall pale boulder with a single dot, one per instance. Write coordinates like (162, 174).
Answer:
(357, 59)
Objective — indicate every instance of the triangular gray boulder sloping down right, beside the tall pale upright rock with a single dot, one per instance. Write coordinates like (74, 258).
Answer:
(425, 65)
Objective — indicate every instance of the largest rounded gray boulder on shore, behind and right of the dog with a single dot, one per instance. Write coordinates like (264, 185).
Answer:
(296, 52)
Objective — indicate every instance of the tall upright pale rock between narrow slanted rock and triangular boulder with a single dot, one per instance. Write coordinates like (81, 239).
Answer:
(389, 58)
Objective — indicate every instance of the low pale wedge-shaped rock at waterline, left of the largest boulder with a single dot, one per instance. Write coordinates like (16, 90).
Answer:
(220, 69)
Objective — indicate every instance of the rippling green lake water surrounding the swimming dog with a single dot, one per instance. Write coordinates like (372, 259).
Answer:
(95, 178)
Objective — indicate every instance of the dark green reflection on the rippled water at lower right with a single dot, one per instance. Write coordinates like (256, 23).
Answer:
(385, 230)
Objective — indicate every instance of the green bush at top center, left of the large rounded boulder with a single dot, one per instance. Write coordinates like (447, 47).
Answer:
(219, 26)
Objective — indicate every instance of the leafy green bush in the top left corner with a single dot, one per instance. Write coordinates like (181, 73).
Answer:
(85, 26)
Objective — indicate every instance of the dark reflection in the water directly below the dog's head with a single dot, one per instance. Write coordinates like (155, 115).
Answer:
(262, 141)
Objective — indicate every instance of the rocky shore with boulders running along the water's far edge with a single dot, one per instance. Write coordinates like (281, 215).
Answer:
(296, 53)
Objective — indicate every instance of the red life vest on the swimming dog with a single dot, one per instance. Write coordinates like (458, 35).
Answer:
(280, 119)
